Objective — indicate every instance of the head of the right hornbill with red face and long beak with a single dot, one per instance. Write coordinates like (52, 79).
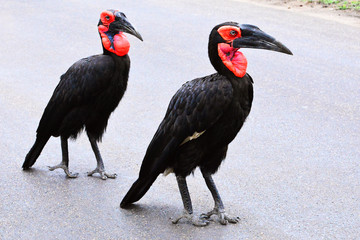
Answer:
(227, 38)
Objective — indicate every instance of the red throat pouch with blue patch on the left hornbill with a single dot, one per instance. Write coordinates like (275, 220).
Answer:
(116, 43)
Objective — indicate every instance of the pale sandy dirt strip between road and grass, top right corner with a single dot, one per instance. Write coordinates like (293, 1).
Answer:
(350, 17)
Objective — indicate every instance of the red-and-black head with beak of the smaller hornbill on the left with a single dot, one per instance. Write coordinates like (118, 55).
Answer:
(112, 26)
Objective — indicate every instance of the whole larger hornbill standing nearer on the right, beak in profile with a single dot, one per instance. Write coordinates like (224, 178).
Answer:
(203, 117)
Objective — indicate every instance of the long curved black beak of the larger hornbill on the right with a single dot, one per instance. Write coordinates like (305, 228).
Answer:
(253, 37)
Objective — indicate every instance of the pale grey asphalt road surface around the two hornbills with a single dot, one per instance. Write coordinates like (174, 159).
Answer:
(293, 172)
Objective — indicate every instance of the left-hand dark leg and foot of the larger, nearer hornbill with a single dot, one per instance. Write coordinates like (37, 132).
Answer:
(188, 211)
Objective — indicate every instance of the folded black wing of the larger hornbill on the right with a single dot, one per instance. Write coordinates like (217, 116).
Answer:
(195, 107)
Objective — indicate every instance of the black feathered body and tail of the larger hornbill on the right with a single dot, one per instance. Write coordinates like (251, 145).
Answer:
(216, 106)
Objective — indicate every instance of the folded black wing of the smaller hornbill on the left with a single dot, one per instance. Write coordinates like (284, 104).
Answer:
(79, 86)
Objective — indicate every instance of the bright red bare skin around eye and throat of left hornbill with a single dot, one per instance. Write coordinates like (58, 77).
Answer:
(121, 45)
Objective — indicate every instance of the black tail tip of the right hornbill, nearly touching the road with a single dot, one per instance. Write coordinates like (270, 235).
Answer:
(137, 190)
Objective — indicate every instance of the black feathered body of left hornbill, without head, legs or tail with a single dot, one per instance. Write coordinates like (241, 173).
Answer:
(85, 97)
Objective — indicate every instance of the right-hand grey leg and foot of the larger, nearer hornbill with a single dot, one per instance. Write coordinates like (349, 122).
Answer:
(219, 209)
